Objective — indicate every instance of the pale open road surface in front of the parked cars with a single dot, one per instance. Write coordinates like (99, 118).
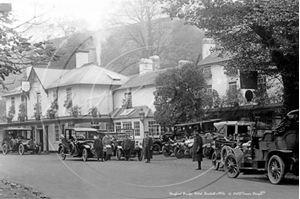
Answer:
(164, 177)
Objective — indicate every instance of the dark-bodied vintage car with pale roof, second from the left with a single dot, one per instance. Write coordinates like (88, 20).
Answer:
(78, 142)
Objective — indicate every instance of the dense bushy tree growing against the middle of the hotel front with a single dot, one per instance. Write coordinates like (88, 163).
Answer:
(179, 95)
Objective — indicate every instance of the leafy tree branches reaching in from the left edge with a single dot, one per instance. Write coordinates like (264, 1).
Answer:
(17, 51)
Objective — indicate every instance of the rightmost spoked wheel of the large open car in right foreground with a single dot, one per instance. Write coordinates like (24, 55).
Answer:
(276, 169)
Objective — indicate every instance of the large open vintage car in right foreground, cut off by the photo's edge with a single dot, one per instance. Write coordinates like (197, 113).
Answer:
(275, 152)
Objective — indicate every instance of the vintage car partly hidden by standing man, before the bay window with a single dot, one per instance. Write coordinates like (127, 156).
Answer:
(136, 149)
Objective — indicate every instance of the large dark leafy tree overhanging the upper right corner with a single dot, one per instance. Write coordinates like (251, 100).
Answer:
(259, 35)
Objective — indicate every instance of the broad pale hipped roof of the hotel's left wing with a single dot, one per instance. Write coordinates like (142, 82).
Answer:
(89, 74)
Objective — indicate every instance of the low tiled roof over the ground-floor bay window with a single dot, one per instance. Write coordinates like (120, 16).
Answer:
(134, 113)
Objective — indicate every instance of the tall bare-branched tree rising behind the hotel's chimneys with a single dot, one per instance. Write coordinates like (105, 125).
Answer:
(144, 32)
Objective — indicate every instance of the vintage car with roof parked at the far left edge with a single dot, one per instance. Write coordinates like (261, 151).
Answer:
(19, 140)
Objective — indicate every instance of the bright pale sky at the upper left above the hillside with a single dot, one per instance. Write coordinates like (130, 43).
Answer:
(93, 11)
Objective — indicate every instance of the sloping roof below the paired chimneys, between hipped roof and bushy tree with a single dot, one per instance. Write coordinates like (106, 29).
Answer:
(142, 80)
